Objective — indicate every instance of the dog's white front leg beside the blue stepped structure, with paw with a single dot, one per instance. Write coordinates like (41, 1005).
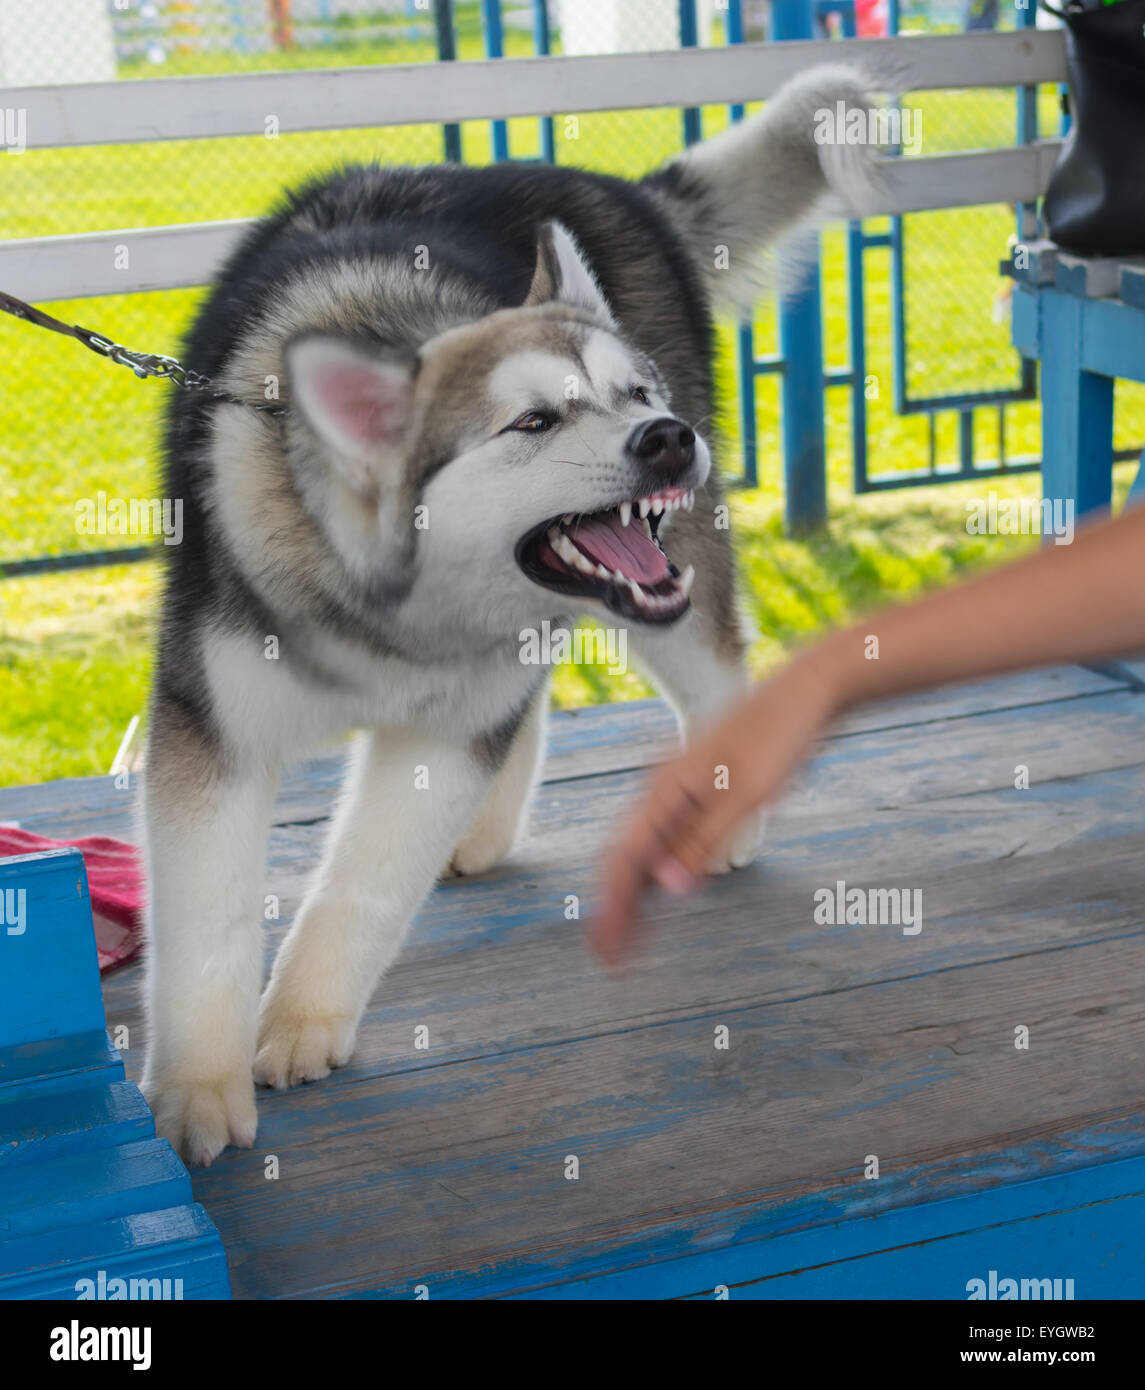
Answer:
(206, 839)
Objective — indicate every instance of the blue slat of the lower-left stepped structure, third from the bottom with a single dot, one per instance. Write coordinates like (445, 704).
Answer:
(41, 1125)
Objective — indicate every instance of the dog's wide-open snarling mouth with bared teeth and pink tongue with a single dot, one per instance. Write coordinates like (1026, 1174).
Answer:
(615, 557)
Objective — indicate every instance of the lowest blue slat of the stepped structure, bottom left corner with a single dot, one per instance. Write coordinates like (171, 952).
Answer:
(179, 1243)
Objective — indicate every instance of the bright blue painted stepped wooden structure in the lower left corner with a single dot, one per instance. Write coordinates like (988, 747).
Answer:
(91, 1203)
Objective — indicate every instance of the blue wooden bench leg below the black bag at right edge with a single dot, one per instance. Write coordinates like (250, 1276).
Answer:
(1078, 411)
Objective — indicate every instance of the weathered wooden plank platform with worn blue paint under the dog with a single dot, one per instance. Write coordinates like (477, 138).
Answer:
(450, 1167)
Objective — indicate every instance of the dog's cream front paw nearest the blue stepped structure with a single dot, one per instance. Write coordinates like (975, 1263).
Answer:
(199, 1117)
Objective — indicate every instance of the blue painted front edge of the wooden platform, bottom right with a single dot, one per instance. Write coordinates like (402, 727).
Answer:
(1083, 1225)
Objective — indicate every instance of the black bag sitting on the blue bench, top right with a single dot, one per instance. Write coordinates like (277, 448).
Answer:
(1096, 202)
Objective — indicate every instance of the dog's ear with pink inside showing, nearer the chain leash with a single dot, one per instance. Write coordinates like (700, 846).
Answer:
(358, 405)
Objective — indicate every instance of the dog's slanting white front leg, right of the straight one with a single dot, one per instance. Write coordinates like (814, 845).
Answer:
(408, 800)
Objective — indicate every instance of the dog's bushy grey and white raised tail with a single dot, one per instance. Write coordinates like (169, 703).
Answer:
(734, 197)
